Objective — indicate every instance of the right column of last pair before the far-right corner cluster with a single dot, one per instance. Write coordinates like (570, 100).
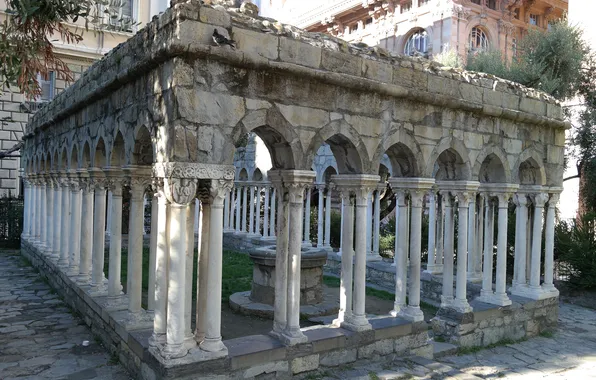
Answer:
(500, 297)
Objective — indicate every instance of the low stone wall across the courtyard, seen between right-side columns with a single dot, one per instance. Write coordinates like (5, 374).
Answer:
(382, 274)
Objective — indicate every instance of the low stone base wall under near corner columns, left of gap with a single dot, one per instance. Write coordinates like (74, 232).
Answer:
(248, 357)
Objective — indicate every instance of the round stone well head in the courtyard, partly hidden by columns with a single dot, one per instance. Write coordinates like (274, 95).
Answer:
(311, 276)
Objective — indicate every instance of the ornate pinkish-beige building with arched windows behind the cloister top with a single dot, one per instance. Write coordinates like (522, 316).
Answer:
(422, 27)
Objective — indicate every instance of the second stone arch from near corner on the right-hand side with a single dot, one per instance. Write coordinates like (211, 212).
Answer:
(351, 155)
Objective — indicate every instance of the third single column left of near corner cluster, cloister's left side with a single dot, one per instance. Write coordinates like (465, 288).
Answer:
(99, 222)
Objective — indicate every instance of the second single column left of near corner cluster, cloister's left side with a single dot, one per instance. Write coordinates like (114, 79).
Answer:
(115, 180)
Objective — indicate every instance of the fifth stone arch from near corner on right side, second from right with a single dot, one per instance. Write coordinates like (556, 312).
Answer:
(492, 166)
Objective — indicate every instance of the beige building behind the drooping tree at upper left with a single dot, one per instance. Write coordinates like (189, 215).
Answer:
(15, 109)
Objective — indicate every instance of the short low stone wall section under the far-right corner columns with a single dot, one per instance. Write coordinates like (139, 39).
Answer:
(488, 324)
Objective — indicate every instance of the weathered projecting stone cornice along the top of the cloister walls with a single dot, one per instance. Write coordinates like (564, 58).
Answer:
(174, 34)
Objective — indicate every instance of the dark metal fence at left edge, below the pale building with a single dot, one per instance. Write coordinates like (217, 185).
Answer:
(11, 221)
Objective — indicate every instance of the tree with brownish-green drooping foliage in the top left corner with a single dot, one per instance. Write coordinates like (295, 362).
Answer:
(26, 36)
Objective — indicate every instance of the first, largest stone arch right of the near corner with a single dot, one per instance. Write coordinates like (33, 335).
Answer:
(277, 134)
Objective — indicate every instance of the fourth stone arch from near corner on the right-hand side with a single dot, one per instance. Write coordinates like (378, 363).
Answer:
(450, 158)
